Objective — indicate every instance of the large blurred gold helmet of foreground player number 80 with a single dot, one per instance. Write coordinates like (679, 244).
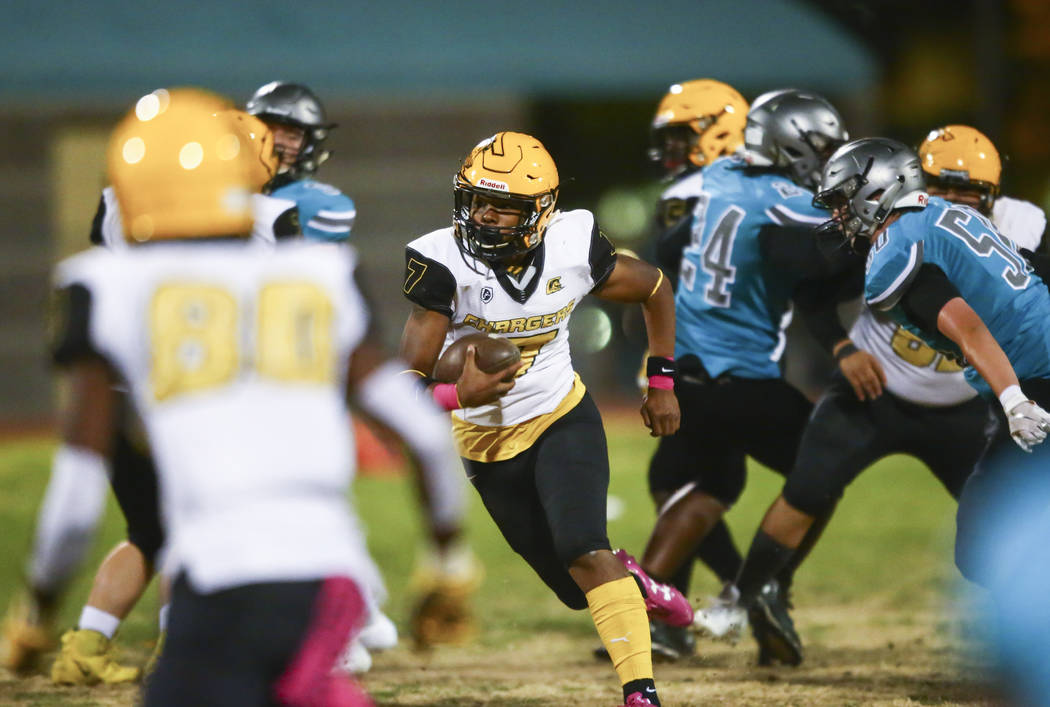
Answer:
(182, 167)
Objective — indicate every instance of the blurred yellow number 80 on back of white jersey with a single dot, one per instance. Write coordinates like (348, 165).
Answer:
(197, 334)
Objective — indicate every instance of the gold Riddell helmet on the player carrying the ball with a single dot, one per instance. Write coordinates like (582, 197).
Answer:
(515, 172)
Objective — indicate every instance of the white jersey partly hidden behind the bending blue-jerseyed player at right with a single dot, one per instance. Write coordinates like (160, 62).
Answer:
(914, 370)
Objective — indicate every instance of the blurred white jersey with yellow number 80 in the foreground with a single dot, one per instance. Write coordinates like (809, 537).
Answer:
(236, 356)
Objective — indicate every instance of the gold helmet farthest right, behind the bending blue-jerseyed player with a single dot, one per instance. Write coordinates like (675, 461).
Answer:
(959, 158)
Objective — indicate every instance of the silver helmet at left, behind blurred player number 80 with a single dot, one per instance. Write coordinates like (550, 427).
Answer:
(295, 105)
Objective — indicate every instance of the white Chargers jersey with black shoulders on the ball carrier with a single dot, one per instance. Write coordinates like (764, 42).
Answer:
(534, 311)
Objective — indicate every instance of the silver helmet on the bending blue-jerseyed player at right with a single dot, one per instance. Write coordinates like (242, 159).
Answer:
(866, 181)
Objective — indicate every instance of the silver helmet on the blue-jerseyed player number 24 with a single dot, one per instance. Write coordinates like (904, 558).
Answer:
(793, 130)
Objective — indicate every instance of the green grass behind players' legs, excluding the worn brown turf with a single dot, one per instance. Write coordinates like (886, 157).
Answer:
(890, 542)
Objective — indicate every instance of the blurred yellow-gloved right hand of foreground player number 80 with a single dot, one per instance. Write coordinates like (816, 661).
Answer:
(444, 589)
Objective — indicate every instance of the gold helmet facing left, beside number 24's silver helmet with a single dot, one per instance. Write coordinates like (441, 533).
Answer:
(697, 122)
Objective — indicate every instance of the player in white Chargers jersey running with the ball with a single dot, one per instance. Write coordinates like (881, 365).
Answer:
(534, 445)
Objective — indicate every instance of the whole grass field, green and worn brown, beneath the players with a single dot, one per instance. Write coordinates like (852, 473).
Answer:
(874, 601)
